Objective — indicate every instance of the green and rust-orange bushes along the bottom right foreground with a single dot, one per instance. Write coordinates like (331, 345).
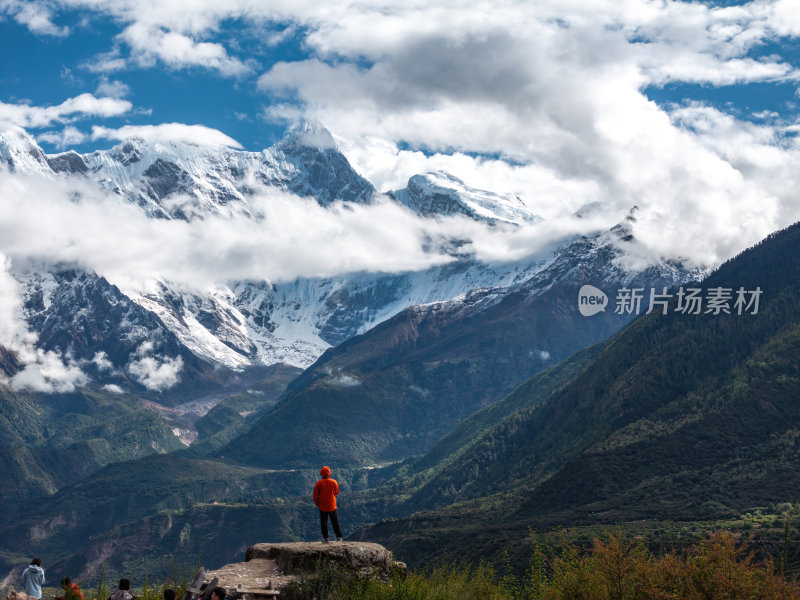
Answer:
(616, 569)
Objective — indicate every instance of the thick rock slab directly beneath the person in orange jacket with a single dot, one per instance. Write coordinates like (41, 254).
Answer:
(365, 558)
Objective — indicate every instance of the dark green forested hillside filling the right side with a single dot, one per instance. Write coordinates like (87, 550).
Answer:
(679, 417)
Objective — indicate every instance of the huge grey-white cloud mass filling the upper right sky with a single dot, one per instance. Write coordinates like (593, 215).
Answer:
(551, 100)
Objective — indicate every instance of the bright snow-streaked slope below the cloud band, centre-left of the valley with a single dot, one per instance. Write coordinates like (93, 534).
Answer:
(253, 322)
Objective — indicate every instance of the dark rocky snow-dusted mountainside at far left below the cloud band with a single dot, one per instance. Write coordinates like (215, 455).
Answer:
(114, 340)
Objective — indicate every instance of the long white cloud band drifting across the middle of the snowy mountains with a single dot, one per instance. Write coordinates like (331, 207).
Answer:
(69, 221)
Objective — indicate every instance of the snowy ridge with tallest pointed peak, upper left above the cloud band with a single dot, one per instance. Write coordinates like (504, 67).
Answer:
(177, 179)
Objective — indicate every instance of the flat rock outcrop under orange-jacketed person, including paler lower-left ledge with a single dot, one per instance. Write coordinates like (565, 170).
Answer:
(271, 567)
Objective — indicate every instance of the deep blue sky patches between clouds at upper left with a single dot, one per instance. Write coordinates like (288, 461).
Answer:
(46, 69)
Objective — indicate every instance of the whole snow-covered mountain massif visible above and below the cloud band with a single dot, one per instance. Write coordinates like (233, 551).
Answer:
(239, 325)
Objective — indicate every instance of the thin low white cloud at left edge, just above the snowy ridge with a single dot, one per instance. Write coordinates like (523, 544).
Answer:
(84, 105)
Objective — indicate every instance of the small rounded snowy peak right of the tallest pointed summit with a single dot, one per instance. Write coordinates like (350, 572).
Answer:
(440, 193)
